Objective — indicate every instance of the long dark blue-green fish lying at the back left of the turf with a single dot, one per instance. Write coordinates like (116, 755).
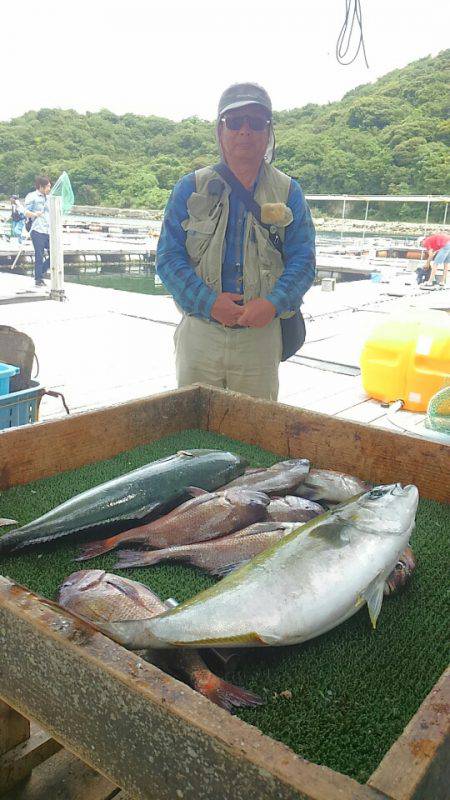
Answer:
(129, 499)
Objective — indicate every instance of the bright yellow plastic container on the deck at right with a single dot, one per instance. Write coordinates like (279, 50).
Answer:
(407, 358)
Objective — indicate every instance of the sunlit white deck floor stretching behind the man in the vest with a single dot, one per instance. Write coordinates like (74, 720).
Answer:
(104, 346)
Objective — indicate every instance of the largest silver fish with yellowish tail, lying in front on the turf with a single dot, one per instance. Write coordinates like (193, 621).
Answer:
(306, 584)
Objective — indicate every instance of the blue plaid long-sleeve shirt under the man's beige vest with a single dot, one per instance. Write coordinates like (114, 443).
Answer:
(192, 293)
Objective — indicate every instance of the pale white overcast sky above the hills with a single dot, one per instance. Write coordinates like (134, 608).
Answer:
(173, 59)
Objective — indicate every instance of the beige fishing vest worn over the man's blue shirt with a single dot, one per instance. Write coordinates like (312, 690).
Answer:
(208, 209)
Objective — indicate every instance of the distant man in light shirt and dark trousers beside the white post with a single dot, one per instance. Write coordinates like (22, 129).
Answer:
(36, 209)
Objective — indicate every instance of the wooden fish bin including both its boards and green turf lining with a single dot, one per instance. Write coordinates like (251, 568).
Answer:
(354, 714)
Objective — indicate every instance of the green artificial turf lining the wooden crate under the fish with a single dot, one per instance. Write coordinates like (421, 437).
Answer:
(339, 700)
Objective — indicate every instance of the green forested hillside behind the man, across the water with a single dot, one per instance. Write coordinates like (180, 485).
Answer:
(388, 137)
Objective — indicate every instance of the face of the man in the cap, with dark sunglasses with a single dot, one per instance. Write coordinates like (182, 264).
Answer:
(245, 144)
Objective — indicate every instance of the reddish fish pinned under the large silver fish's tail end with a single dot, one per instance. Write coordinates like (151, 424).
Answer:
(97, 595)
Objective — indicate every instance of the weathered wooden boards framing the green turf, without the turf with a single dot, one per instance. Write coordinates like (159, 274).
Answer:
(141, 729)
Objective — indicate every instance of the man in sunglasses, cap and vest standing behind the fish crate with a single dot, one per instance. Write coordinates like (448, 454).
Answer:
(220, 263)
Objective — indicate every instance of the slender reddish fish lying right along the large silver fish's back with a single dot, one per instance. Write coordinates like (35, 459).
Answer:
(218, 557)
